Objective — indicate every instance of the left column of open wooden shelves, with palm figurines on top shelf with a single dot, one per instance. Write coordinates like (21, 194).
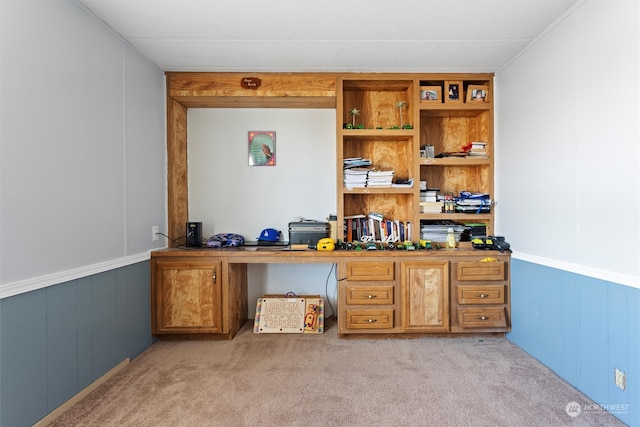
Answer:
(383, 132)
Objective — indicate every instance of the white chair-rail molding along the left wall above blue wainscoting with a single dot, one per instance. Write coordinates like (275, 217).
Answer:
(35, 283)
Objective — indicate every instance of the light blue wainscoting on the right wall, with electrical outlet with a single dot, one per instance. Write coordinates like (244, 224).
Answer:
(581, 328)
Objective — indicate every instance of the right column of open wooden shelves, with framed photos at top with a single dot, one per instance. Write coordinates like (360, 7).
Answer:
(449, 125)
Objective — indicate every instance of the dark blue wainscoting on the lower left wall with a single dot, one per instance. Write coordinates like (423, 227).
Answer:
(57, 340)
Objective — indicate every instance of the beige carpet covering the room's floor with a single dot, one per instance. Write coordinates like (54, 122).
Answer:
(303, 380)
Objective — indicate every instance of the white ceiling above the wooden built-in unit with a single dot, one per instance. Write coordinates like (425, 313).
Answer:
(331, 35)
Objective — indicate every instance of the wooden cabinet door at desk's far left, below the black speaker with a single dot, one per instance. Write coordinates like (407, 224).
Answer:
(187, 297)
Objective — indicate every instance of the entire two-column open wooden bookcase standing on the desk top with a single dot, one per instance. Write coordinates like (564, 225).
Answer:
(385, 118)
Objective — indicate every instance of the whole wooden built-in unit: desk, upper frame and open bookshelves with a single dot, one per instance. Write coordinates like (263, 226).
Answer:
(382, 117)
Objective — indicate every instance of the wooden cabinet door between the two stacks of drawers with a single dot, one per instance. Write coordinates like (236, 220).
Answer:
(426, 296)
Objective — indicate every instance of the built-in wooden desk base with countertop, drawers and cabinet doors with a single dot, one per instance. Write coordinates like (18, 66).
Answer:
(202, 292)
